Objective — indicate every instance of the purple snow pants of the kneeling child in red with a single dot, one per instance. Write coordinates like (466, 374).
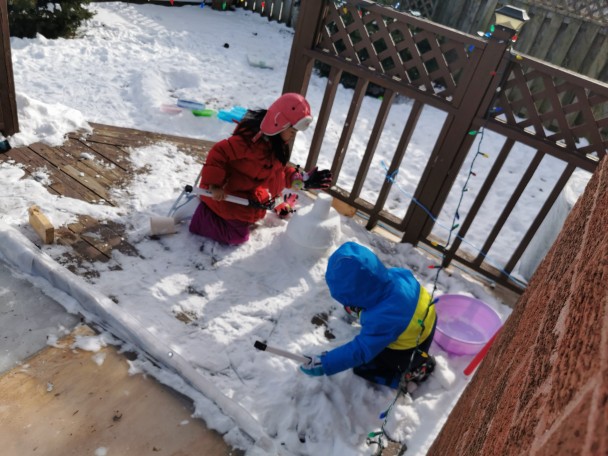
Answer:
(207, 223)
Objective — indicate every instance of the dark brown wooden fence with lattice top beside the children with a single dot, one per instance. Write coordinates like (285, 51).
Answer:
(478, 84)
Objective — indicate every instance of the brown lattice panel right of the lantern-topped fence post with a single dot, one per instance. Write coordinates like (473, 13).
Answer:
(547, 104)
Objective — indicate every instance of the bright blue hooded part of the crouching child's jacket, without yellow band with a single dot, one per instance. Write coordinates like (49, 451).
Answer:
(389, 298)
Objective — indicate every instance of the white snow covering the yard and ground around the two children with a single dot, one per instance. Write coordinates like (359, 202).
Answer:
(193, 305)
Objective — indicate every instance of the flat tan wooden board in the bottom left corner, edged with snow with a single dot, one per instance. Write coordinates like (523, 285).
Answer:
(70, 402)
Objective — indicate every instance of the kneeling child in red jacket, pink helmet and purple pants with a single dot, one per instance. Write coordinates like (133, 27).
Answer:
(252, 164)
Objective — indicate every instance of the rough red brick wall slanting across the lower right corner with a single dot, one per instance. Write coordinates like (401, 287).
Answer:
(543, 387)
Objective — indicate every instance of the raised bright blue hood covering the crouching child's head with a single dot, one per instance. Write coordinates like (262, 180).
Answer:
(356, 277)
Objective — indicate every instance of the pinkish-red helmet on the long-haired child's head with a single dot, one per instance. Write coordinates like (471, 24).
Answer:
(289, 110)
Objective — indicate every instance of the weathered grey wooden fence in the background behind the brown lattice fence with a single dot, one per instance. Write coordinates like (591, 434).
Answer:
(569, 33)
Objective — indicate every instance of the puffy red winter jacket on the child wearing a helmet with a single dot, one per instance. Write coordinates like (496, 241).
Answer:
(240, 167)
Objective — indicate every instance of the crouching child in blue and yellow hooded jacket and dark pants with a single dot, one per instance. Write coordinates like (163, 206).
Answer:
(390, 305)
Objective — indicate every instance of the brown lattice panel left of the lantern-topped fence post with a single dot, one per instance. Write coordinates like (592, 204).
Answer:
(394, 47)
